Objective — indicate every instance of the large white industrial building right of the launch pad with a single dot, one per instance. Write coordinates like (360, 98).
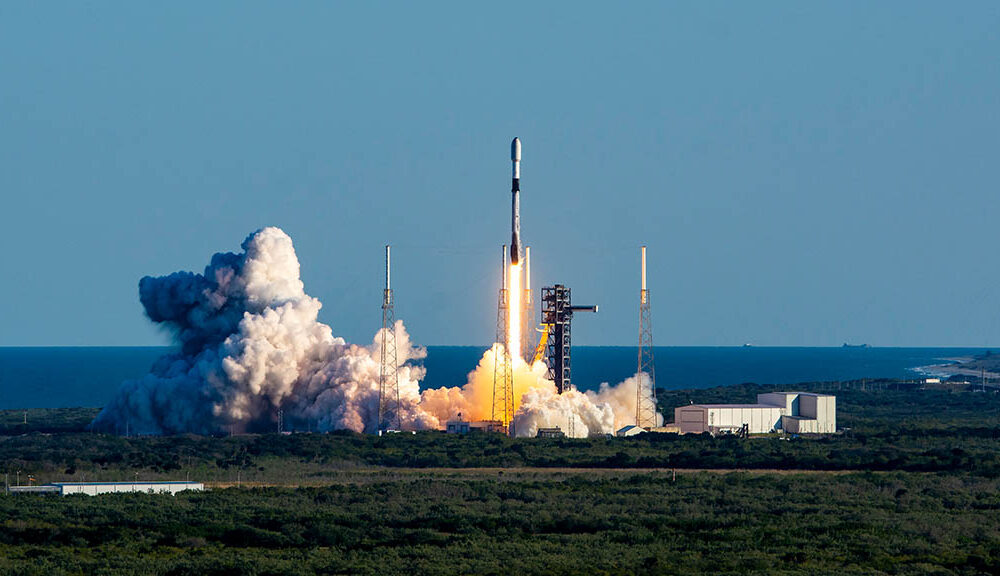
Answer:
(792, 412)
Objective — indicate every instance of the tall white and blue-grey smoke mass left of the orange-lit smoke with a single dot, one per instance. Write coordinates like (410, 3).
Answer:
(250, 345)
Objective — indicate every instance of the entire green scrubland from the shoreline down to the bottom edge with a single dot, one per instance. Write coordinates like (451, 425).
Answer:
(910, 487)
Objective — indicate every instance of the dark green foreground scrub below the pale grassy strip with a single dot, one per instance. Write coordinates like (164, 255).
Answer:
(431, 523)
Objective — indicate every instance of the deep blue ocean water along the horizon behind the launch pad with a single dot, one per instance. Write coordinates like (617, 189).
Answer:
(67, 377)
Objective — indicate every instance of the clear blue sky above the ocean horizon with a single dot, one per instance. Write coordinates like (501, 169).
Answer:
(803, 173)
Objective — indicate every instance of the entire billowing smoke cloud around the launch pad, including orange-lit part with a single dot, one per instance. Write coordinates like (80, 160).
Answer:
(249, 344)
